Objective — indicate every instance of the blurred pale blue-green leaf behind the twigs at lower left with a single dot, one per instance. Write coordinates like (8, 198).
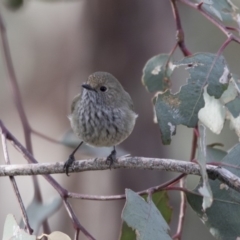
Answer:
(39, 212)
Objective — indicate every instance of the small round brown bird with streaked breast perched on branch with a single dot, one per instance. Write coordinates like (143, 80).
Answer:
(102, 114)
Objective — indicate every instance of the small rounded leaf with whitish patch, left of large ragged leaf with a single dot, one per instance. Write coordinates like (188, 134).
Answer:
(157, 72)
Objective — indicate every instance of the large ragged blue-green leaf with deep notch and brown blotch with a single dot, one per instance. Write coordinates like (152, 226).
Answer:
(183, 107)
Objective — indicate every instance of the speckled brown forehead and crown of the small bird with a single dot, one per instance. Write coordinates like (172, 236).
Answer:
(100, 78)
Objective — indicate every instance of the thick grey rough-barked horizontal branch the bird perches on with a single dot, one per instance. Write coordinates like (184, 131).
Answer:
(170, 165)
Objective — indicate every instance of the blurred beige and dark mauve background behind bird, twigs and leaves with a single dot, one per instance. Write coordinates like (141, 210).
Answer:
(55, 46)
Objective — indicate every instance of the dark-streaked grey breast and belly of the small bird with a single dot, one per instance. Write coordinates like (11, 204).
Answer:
(102, 126)
